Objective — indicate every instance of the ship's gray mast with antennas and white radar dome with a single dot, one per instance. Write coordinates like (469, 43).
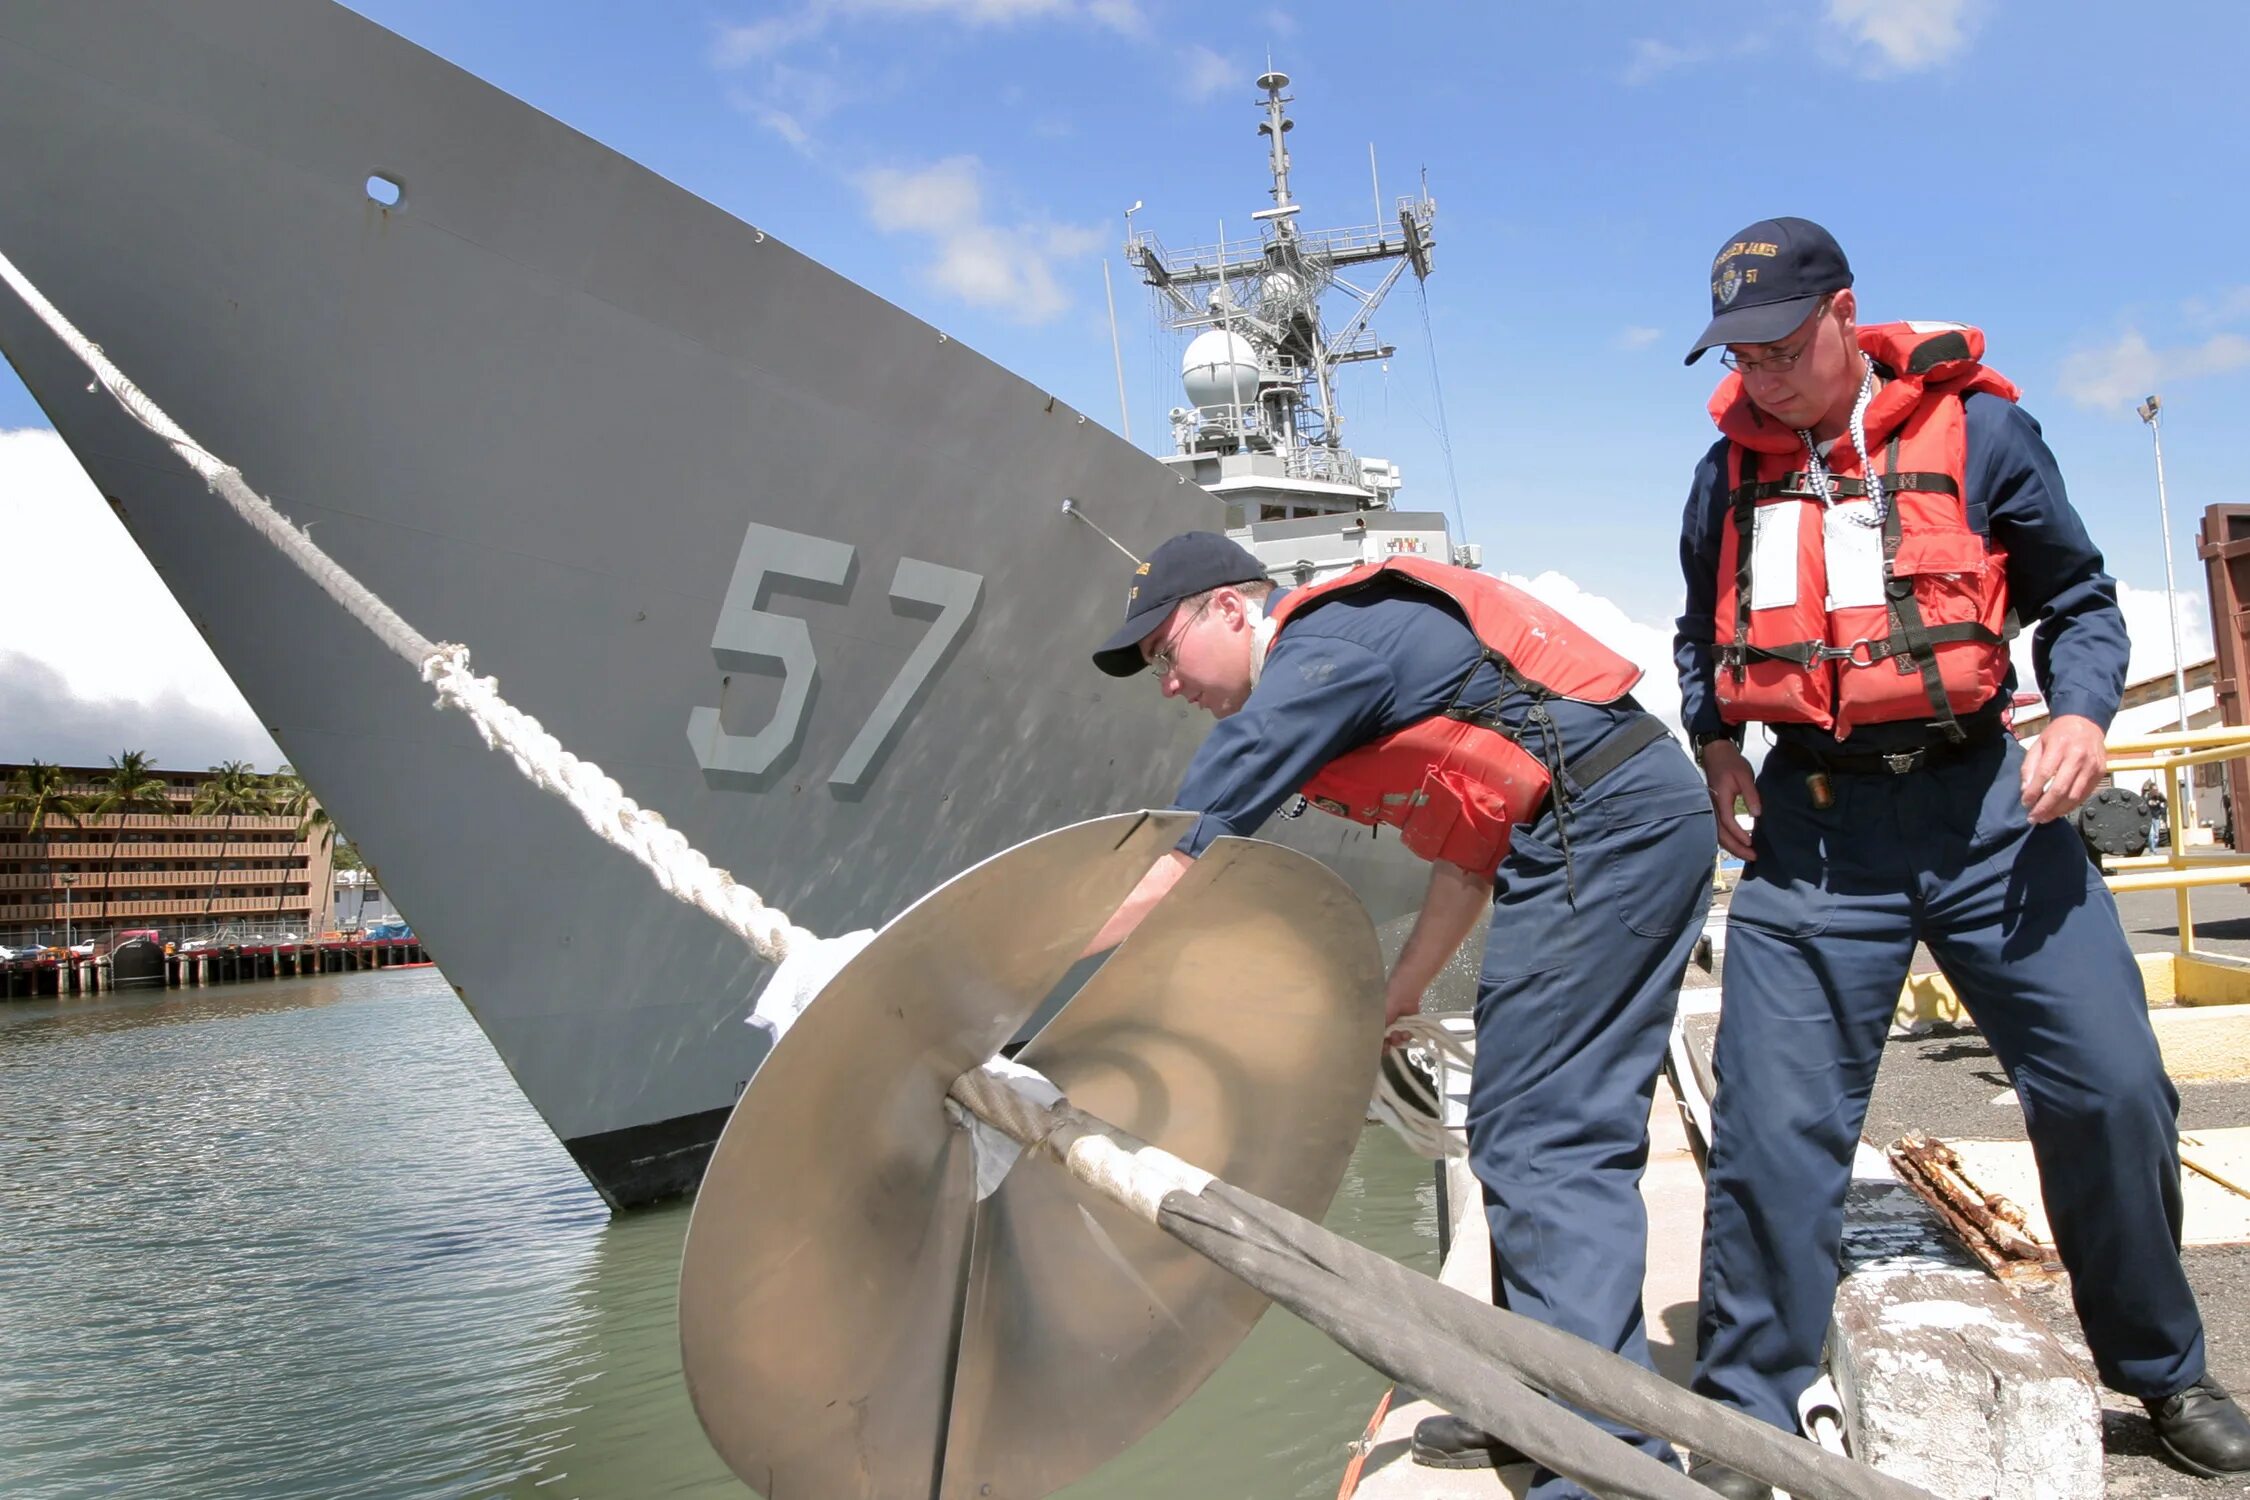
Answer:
(1263, 368)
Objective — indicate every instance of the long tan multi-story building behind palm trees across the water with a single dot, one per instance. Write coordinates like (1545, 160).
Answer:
(179, 874)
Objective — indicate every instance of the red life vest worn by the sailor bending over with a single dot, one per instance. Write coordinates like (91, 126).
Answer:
(1455, 784)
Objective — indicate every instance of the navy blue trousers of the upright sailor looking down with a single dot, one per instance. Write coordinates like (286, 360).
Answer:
(1819, 943)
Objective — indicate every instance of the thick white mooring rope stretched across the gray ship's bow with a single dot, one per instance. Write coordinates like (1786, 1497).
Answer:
(597, 797)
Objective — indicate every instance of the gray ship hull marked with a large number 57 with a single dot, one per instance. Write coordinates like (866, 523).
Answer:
(780, 557)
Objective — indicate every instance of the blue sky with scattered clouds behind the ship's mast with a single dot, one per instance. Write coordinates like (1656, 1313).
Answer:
(2067, 177)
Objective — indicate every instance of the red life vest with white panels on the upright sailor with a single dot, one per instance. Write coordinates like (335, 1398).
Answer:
(1833, 620)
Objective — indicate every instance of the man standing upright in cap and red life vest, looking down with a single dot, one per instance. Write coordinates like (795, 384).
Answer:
(1857, 550)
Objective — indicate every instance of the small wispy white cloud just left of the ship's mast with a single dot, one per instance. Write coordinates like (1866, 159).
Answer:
(991, 266)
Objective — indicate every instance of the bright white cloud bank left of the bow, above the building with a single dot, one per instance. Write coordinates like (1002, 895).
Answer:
(91, 671)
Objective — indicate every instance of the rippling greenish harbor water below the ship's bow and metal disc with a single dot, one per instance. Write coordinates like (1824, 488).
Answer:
(305, 1238)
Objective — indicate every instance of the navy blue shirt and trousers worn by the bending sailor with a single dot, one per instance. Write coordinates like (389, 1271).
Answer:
(1576, 997)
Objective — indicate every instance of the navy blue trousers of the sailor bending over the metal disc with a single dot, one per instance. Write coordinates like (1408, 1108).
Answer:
(1574, 1011)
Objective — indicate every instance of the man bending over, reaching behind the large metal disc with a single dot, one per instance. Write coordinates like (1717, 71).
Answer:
(1504, 748)
